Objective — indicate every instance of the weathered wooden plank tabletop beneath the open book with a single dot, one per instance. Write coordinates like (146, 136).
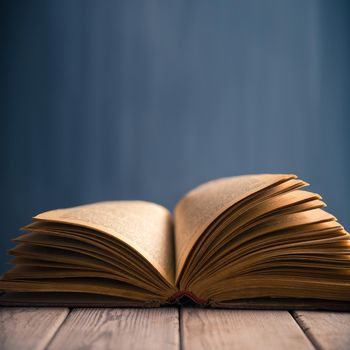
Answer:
(171, 328)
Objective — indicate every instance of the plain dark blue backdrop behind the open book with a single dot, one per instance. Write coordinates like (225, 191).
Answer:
(146, 99)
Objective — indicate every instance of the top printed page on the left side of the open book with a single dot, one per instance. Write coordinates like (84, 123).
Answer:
(146, 227)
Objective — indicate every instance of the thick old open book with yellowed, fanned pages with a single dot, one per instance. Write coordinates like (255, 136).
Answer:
(252, 241)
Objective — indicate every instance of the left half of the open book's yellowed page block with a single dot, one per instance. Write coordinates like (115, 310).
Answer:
(108, 250)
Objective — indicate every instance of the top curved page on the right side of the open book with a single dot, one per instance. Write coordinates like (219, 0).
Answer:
(201, 206)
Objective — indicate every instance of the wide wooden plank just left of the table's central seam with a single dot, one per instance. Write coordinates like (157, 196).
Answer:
(119, 328)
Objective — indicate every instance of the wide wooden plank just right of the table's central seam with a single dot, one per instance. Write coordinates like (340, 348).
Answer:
(240, 329)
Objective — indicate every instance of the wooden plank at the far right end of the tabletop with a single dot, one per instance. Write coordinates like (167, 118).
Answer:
(326, 330)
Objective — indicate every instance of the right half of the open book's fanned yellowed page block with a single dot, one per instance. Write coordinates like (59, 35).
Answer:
(256, 237)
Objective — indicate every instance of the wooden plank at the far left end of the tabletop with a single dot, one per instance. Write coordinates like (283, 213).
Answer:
(29, 328)
